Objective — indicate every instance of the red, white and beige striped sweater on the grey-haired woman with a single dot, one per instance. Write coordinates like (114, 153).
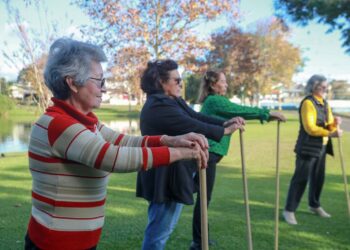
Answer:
(70, 158)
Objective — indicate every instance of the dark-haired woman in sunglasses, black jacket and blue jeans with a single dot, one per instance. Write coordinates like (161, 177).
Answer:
(166, 113)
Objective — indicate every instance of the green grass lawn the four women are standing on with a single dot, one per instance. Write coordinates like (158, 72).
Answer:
(126, 215)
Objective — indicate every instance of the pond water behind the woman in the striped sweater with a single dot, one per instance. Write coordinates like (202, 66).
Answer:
(14, 136)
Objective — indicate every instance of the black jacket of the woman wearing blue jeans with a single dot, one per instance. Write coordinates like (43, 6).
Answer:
(163, 115)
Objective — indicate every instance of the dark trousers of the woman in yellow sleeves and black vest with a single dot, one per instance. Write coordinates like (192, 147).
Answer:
(308, 169)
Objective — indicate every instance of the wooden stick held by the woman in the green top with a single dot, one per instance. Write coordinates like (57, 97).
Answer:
(277, 199)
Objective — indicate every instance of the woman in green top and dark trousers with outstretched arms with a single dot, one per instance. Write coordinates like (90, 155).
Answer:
(215, 104)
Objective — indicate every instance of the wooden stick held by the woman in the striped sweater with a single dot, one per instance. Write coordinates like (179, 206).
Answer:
(204, 212)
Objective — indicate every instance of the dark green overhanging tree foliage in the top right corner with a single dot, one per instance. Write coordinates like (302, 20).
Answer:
(335, 13)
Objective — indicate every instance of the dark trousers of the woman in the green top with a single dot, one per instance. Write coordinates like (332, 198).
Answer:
(211, 172)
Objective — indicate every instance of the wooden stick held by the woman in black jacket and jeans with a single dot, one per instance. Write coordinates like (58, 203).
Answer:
(245, 190)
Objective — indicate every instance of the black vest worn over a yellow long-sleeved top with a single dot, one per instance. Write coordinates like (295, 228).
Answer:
(308, 145)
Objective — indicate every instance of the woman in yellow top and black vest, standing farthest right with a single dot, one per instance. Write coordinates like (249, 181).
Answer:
(317, 125)
